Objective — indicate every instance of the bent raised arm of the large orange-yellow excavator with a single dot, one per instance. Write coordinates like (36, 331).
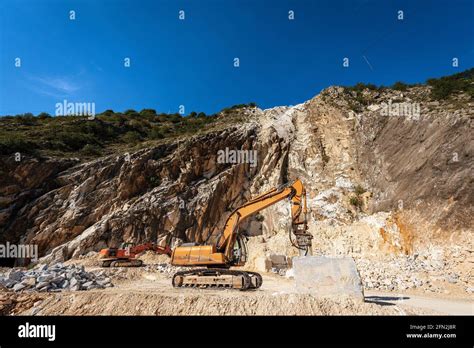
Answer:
(297, 195)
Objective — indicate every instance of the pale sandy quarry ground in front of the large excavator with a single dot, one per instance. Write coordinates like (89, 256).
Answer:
(141, 292)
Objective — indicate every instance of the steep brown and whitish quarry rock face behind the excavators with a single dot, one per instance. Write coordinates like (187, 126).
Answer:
(377, 184)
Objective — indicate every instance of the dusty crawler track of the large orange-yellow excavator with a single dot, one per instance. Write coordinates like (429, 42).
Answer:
(212, 278)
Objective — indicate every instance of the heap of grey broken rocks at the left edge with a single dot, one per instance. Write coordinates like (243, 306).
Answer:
(58, 277)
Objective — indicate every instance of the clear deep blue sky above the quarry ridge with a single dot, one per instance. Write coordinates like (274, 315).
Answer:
(190, 62)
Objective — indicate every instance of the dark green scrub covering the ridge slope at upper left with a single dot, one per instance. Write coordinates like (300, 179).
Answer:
(108, 132)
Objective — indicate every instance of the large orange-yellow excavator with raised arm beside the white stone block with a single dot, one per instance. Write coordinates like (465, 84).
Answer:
(230, 249)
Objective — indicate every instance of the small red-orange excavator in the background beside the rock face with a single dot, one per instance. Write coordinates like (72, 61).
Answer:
(125, 255)
